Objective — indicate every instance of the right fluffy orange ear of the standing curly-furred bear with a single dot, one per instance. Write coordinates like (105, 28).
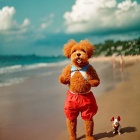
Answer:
(89, 47)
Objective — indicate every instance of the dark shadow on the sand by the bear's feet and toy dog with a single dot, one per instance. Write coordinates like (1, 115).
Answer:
(110, 134)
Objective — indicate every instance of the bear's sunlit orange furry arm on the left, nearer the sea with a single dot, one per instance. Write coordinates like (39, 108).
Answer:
(64, 78)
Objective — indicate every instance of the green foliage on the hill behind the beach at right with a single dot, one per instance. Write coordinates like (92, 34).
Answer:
(110, 47)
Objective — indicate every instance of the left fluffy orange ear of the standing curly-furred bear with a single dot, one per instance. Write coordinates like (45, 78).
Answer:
(68, 47)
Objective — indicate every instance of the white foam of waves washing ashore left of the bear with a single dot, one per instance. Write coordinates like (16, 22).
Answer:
(23, 68)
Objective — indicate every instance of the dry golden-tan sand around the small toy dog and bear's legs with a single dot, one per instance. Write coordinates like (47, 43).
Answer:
(124, 100)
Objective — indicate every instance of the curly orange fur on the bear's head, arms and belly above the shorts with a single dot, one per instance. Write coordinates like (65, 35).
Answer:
(77, 83)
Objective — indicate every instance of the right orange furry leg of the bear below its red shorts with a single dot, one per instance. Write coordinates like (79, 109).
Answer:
(89, 124)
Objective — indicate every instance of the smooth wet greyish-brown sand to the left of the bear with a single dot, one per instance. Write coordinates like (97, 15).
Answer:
(32, 110)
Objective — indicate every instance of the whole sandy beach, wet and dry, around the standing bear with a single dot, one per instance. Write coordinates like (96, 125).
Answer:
(33, 109)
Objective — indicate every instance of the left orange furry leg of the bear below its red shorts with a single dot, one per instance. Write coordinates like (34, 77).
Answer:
(71, 124)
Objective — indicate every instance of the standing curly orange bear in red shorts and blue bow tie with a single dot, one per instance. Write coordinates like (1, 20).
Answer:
(80, 76)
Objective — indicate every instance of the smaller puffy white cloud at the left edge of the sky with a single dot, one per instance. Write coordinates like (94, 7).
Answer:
(8, 24)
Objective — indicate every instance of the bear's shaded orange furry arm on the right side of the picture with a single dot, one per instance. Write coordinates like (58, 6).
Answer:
(93, 78)
